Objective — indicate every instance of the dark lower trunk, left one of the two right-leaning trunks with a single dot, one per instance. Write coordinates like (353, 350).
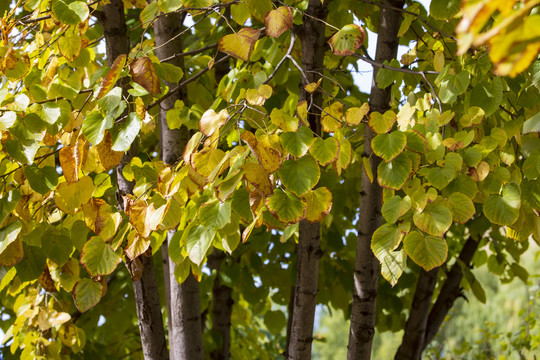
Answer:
(415, 329)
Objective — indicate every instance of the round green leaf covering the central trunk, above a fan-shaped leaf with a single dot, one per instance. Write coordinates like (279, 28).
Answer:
(300, 175)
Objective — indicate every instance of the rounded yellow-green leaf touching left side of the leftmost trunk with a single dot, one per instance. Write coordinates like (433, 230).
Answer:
(98, 257)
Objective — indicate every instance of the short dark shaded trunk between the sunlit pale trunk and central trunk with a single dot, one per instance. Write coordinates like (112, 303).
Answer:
(222, 303)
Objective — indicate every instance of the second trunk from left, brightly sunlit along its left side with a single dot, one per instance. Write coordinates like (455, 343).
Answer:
(185, 333)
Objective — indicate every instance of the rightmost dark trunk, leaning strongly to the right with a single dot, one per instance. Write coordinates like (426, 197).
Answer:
(450, 291)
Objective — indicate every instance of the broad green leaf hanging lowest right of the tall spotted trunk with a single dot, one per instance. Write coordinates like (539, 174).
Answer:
(426, 251)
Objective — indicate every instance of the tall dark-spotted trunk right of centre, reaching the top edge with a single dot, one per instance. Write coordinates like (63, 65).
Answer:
(366, 274)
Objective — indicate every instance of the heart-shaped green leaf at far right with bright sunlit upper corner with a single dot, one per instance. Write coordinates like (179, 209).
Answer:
(504, 209)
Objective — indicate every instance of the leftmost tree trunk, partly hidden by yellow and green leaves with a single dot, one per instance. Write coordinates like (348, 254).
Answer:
(145, 289)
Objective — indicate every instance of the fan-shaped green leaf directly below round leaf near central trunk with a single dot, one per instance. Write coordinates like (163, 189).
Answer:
(285, 206)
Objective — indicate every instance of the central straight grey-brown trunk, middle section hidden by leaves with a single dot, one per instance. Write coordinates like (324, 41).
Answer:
(309, 252)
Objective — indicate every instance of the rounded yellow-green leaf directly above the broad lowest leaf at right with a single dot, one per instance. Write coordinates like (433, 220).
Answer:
(435, 219)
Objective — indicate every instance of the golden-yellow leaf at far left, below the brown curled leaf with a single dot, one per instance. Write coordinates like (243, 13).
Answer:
(71, 196)
